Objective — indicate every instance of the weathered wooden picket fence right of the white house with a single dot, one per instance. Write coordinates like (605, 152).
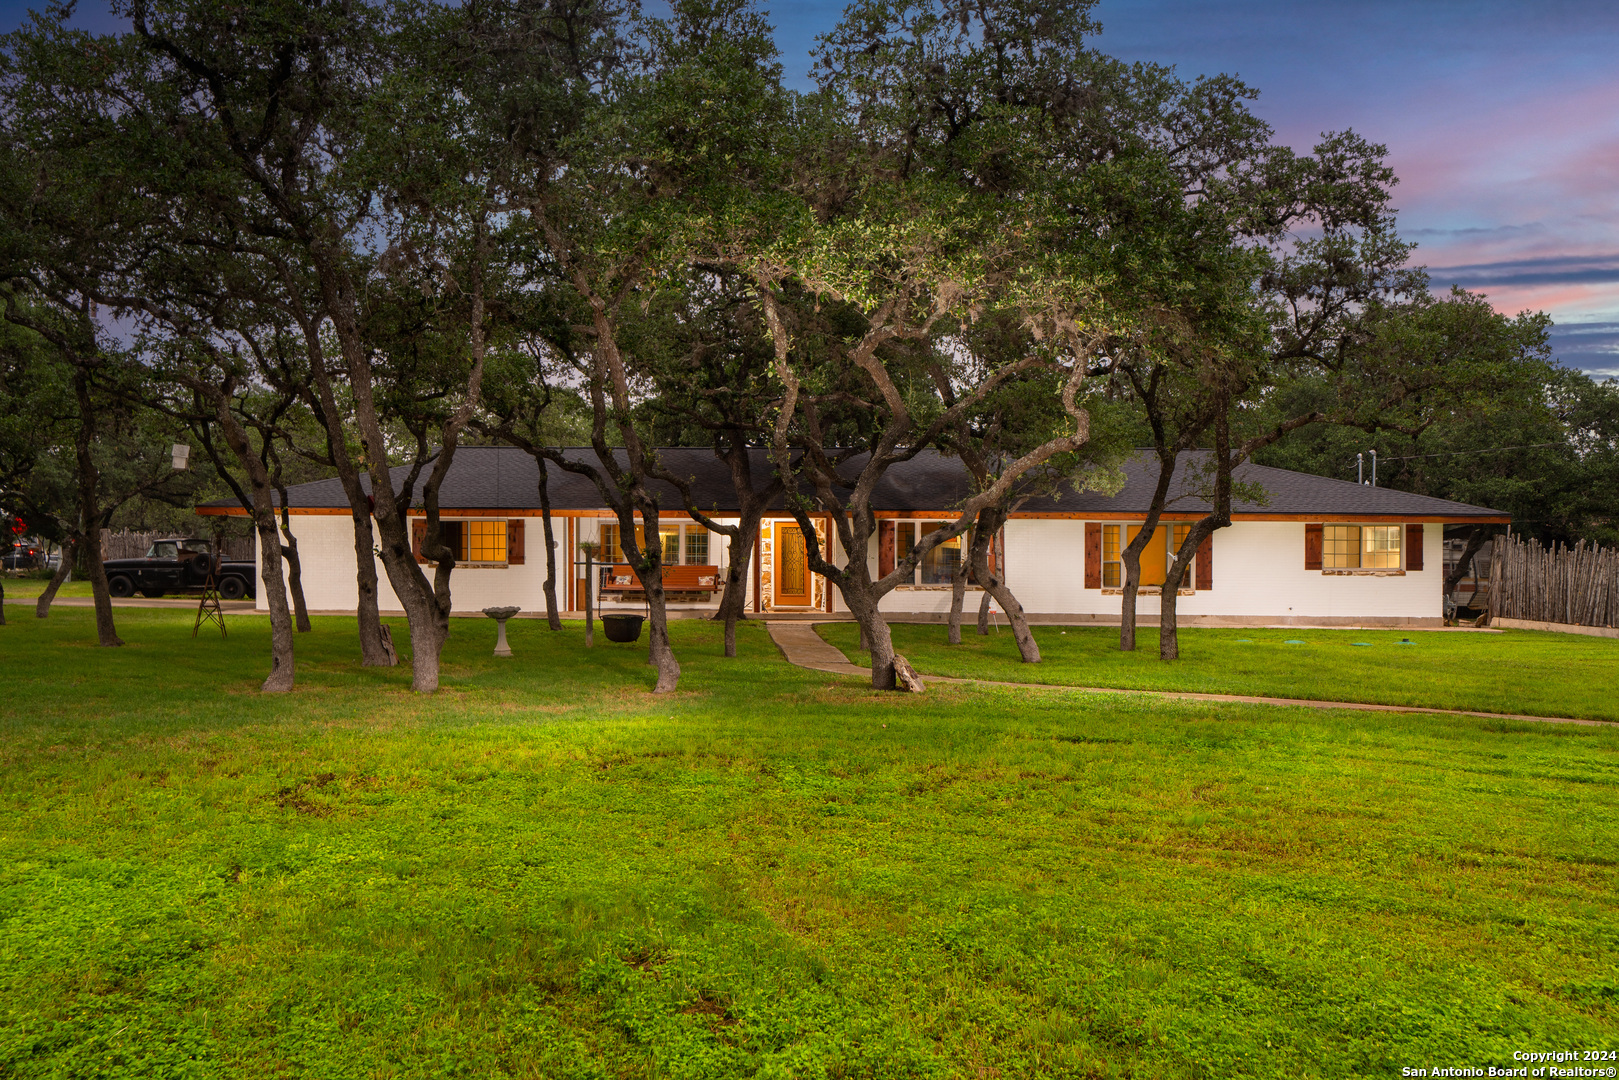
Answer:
(1570, 585)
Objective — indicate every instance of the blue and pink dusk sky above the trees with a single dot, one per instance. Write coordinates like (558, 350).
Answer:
(1502, 119)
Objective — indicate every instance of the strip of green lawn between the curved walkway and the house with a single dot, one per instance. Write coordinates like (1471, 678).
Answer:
(1516, 671)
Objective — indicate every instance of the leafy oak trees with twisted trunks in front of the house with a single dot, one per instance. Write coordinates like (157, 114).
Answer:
(342, 239)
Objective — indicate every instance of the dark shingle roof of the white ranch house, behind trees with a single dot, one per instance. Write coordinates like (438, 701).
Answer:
(506, 478)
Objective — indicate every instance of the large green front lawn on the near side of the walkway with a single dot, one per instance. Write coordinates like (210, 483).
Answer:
(546, 872)
